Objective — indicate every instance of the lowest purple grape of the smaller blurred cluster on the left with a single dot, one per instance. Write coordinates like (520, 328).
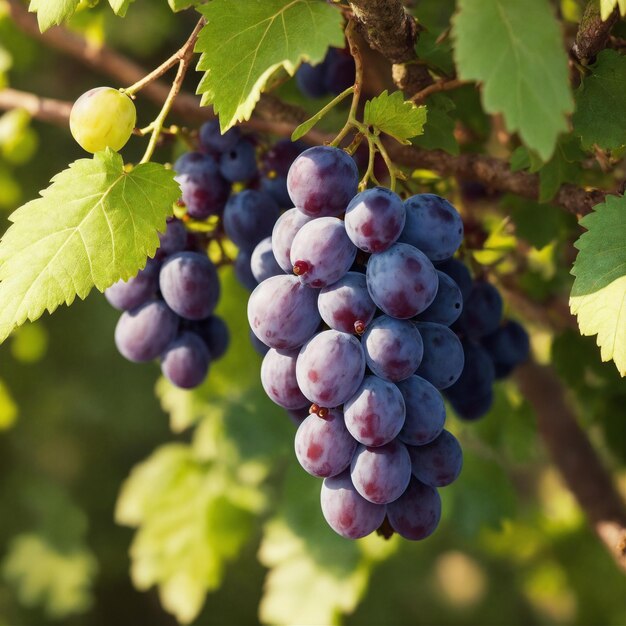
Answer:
(185, 361)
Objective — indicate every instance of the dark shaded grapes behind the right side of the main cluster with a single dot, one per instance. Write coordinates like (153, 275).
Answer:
(493, 348)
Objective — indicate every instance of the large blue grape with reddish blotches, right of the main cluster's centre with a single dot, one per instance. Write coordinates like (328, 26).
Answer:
(402, 281)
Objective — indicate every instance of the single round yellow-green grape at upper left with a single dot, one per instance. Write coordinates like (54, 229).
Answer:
(102, 118)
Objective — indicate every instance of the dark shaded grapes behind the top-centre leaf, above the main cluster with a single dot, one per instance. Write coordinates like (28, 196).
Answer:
(332, 76)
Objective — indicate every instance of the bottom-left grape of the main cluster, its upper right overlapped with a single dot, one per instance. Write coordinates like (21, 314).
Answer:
(346, 511)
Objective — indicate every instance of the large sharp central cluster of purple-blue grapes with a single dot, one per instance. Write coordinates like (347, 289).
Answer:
(356, 326)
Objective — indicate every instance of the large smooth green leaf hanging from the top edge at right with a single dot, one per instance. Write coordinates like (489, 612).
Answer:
(515, 49)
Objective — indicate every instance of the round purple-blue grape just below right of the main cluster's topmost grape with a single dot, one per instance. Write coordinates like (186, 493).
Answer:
(375, 219)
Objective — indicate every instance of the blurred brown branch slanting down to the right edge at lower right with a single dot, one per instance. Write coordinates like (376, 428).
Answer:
(576, 459)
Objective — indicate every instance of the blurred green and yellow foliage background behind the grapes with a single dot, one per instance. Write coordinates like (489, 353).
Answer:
(106, 487)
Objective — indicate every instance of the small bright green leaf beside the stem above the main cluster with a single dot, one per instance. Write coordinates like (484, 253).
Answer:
(392, 115)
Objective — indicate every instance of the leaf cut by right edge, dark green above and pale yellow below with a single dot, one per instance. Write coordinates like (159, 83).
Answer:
(598, 295)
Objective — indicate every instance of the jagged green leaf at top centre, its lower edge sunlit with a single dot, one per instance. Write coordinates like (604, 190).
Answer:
(244, 43)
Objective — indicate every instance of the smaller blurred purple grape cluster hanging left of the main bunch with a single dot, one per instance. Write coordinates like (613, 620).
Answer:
(168, 310)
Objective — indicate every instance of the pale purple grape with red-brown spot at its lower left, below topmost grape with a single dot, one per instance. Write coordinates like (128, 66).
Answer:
(321, 252)
